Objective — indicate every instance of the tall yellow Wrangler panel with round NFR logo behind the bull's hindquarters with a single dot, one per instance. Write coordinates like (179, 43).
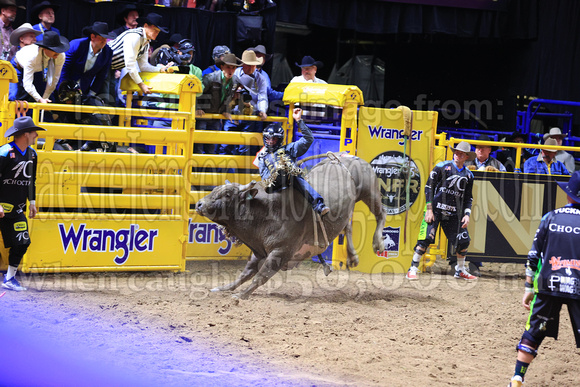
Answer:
(402, 167)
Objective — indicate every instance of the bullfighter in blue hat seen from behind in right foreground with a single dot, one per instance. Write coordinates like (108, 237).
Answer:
(552, 278)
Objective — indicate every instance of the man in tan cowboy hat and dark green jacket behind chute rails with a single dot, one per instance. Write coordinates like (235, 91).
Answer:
(218, 92)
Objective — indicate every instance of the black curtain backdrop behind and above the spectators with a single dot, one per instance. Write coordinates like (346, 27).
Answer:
(499, 52)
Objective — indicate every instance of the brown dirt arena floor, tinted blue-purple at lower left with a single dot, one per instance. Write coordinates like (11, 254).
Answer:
(300, 329)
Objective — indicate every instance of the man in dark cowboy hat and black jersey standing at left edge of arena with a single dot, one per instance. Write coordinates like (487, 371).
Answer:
(18, 163)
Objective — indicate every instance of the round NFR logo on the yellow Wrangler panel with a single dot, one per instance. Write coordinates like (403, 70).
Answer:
(393, 170)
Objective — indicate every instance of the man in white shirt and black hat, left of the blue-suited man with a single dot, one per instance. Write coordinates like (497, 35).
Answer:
(47, 55)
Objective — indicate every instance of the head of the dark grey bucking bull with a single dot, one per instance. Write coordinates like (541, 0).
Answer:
(227, 201)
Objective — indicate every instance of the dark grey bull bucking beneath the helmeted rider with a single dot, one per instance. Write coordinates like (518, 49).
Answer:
(281, 228)
